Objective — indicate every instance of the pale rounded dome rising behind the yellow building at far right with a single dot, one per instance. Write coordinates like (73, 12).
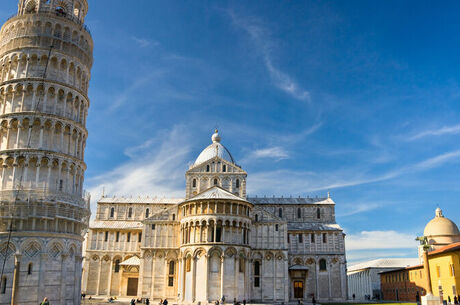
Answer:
(441, 230)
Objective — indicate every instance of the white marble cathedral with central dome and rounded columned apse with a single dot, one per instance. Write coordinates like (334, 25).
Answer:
(216, 242)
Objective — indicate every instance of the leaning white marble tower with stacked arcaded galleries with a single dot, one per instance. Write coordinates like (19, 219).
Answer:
(45, 63)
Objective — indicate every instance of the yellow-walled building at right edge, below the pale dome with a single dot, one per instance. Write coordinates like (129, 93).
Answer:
(445, 271)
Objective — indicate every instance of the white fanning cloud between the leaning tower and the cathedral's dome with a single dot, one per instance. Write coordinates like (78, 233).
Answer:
(155, 168)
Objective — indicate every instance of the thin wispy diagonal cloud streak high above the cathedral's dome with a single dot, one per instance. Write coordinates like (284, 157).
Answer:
(260, 37)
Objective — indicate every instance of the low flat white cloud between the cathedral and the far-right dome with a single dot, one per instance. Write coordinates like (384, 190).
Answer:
(371, 240)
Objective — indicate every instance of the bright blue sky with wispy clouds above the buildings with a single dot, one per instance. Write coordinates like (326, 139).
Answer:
(359, 98)
